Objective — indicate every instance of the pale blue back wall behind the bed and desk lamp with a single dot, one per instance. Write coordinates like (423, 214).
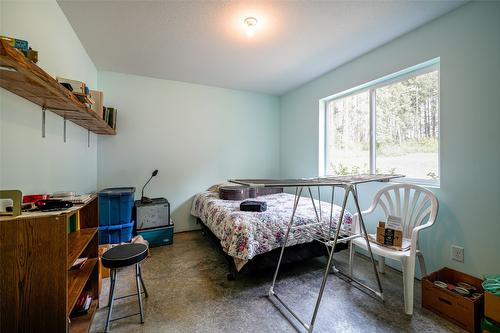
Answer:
(195, 135)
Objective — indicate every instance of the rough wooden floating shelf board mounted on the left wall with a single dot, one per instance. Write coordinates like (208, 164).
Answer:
(22, 77)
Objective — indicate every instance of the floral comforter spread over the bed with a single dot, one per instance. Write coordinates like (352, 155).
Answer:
(244, 235)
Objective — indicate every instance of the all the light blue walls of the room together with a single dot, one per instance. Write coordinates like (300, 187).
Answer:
(198, 135)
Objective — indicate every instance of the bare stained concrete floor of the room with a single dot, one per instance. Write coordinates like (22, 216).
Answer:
(189, 293)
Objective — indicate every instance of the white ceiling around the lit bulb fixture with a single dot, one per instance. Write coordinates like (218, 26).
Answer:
(204, 41)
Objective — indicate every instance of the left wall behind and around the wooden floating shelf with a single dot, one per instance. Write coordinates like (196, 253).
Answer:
(27, 161)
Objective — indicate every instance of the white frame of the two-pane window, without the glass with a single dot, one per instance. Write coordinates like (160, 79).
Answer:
(371, 87)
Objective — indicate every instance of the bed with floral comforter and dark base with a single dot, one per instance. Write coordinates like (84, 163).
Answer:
(256, 238)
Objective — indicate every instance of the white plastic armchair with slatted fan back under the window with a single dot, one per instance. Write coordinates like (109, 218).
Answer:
(414, 204)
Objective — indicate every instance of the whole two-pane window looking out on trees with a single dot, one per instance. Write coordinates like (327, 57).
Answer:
(390, 125)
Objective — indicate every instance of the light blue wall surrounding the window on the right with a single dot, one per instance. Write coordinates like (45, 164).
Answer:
(468, 42)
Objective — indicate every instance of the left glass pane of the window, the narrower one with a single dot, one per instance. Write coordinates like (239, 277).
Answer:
(348, 130)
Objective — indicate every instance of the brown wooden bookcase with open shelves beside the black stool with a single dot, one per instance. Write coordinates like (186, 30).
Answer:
(37, 289)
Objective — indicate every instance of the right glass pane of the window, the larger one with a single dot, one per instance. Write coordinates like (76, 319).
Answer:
(407, 127)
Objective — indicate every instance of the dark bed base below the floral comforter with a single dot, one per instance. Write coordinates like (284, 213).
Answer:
(269, 259)
